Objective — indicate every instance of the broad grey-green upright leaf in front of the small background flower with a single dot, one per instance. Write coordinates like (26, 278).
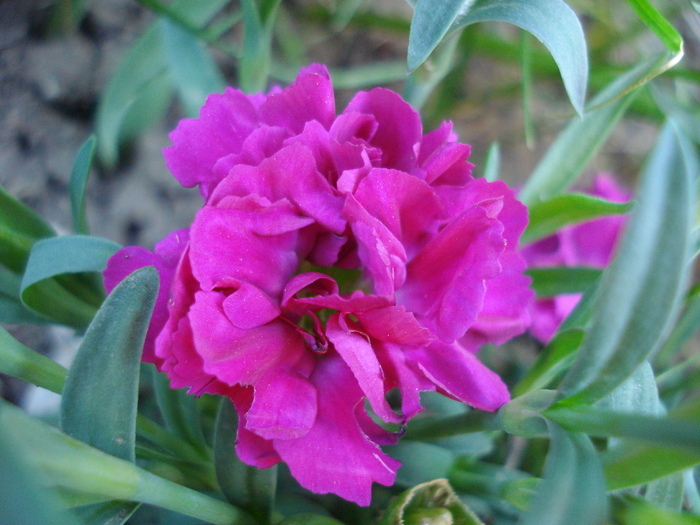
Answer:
(652, 263)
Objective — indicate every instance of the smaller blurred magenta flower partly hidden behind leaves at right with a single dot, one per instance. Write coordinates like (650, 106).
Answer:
(590, 244)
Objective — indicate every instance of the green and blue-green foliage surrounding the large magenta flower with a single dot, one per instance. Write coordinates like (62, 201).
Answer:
(604, 424)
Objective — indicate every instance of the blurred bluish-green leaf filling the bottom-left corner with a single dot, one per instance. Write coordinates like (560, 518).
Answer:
(23, 499)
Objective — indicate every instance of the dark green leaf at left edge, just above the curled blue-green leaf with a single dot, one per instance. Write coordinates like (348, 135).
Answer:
(20, 227)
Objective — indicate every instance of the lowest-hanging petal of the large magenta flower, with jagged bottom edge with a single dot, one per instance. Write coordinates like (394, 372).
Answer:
(336, 455)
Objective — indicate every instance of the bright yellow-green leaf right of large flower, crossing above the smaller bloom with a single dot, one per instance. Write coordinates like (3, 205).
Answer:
(550, 216)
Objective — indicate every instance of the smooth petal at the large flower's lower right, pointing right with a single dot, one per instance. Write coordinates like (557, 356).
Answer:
(459, 373)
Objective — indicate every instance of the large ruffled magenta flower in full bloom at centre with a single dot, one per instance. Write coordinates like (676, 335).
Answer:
(335, 258)
